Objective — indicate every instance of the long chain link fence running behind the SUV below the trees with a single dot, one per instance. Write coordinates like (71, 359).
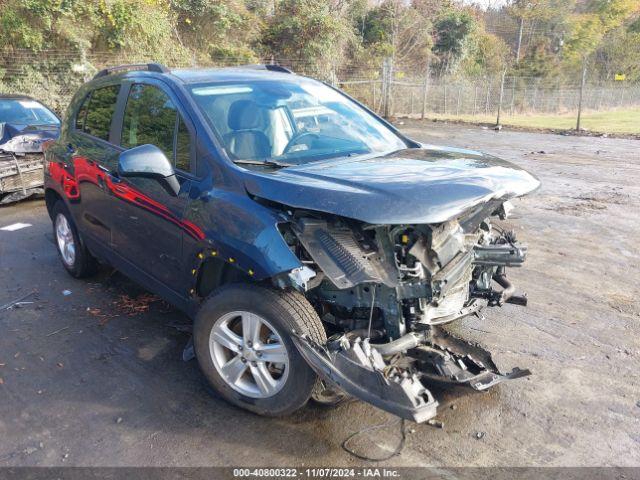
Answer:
(53, 77)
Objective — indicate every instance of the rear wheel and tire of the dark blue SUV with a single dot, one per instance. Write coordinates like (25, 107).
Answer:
(74, 255)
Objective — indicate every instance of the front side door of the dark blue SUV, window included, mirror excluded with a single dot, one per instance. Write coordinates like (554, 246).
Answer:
(150, 226)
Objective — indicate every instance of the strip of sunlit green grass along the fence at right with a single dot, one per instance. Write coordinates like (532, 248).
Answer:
(615, 121)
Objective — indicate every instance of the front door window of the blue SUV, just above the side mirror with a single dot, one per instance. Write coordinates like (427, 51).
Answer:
(150, 117)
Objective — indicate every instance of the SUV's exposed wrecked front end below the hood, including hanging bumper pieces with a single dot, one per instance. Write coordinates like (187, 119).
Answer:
(384, 294)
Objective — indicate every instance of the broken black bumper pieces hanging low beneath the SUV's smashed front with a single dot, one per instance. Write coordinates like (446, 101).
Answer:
(396, 383)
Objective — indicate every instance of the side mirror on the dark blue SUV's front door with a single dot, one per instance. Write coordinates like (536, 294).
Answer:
(150, 162)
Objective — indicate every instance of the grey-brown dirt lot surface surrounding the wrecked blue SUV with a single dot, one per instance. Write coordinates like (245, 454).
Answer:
(87, 380)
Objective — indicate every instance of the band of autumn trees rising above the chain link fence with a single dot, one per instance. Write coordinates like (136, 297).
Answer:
(538, 38)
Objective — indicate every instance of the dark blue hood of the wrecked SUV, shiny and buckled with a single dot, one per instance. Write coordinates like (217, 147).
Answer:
(413, 186)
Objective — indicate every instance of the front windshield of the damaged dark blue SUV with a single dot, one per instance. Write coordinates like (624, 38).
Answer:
(290, 123)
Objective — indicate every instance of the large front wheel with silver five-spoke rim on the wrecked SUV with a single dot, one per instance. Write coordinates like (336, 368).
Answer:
(242, 341)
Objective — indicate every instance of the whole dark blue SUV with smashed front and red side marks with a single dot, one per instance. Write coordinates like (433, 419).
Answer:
(319, 251)
